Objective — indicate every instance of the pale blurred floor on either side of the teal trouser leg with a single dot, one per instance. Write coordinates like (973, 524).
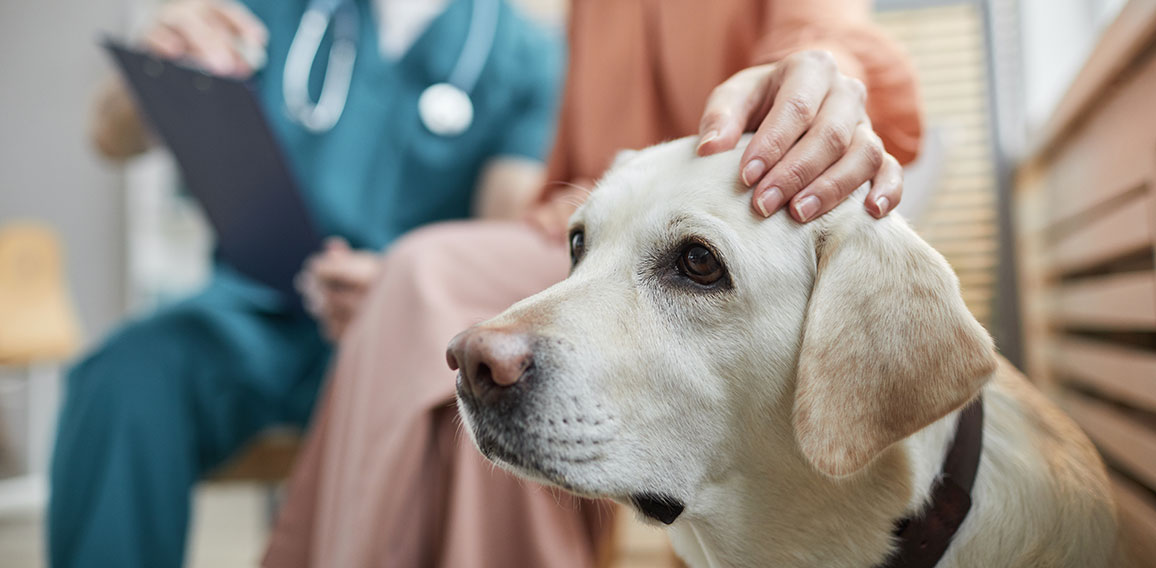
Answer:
(229, 530)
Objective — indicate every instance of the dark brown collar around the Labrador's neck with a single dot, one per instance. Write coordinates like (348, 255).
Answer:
(923, 540)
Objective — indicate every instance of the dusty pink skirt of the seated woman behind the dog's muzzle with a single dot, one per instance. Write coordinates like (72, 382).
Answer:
(387, 477)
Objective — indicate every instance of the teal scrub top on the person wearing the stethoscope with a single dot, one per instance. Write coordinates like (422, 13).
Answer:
(380, 173)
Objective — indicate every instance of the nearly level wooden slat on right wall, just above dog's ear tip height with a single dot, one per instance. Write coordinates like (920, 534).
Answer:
(1123, 301)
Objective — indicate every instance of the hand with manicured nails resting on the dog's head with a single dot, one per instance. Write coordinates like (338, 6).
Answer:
(813, 144)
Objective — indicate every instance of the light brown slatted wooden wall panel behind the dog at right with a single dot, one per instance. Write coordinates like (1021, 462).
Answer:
(1086, 210)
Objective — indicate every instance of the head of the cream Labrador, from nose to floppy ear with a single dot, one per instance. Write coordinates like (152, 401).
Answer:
(693, 334)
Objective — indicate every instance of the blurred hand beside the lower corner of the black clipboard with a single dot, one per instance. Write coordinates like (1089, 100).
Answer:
(335, 283)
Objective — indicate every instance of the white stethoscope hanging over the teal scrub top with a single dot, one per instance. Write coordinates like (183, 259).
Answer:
(444, 108)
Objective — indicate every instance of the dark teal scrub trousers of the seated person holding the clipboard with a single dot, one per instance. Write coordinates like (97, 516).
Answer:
(162, 403)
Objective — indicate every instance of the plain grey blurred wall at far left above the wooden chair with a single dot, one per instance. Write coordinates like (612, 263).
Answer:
(50, 67)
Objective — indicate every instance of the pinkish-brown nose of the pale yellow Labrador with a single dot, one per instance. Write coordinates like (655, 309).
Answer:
(490, 359)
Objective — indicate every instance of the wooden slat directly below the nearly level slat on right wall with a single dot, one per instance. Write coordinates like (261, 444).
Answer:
(1121, 373)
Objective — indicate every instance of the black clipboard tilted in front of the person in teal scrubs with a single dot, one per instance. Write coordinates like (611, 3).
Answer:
(232, 164)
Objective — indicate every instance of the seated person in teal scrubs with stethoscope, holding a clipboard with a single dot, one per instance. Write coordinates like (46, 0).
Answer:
(169, 397)
